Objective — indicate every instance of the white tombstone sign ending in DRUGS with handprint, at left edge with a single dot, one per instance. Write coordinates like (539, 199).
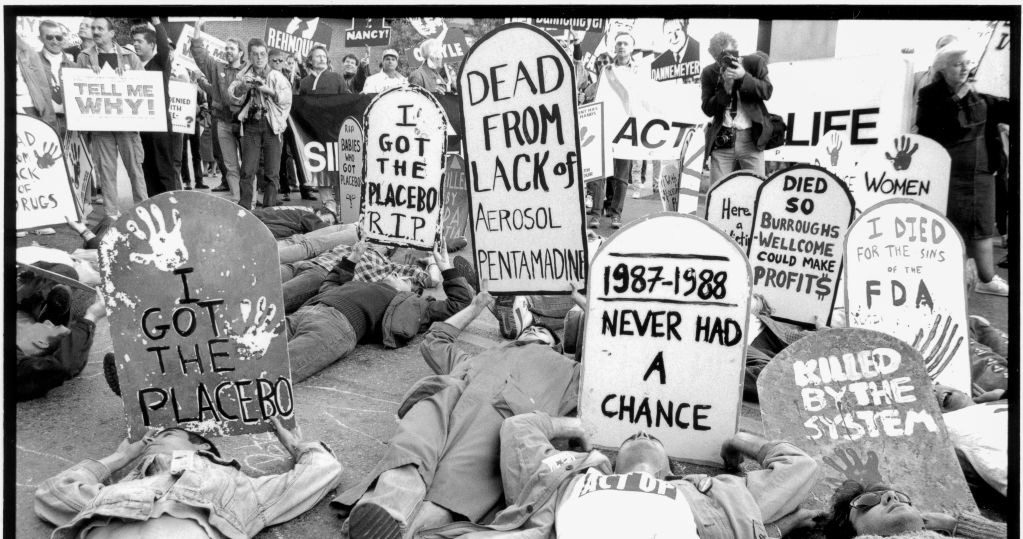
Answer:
(43, 191)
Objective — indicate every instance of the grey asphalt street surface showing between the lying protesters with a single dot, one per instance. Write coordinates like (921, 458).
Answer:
(351, 407)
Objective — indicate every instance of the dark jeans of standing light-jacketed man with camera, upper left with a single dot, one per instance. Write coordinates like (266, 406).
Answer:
(258, 141)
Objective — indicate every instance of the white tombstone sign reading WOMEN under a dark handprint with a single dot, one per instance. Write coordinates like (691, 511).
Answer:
(909, 167)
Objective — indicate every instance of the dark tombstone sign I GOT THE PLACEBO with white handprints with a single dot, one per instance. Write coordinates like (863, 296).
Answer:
(193, 288)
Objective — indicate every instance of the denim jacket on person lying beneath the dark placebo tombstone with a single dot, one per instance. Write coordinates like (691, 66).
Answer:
(238, 506)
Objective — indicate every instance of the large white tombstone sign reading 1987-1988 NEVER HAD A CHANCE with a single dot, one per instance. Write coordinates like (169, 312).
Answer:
(665, 338)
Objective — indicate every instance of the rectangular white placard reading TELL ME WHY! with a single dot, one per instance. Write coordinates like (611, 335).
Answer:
(108, 102)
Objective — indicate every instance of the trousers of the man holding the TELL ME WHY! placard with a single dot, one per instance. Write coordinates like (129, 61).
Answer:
(106, 147)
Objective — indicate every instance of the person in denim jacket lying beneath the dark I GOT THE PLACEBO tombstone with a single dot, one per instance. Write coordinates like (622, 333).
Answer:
(182, 487)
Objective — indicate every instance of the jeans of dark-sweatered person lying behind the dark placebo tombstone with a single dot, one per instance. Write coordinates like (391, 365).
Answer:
(318, 336)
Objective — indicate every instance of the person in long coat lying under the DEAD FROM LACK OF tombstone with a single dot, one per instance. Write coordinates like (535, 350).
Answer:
(442, 465)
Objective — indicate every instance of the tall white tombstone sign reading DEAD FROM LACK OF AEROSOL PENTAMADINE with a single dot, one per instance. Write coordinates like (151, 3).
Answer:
(522, 154)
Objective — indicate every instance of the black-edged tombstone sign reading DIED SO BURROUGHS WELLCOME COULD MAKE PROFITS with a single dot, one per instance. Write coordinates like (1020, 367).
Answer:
(803, 215)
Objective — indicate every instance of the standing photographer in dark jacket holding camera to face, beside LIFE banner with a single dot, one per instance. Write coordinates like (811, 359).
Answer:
(734, 92)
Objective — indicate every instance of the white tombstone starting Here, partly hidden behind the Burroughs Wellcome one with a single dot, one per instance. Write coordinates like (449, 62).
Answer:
(731, 204)
